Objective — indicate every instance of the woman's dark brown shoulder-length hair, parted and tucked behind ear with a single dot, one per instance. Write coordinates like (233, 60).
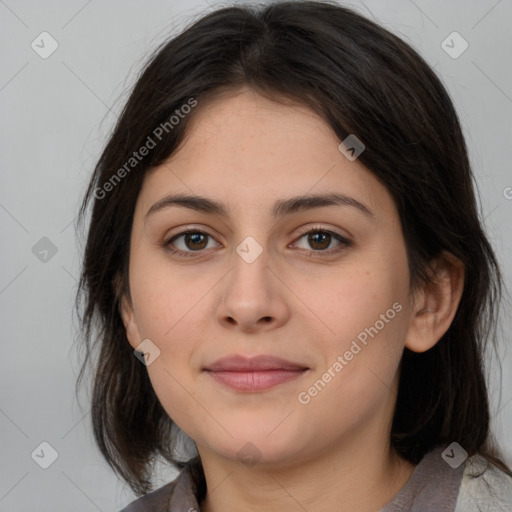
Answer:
(363, 80)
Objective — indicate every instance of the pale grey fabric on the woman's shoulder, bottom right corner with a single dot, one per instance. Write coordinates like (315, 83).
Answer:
(484, 488)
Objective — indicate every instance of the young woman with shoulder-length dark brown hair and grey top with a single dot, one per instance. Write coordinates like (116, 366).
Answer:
(285, 263)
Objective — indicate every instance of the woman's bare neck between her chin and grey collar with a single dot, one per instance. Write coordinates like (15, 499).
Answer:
(355, 477)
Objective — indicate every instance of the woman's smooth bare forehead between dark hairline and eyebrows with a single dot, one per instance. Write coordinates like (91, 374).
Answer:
(246, 149)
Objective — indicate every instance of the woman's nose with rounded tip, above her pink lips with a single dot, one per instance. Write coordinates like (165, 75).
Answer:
(253, 297)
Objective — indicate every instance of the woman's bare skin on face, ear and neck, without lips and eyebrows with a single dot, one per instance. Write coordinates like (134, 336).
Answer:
(293, 301)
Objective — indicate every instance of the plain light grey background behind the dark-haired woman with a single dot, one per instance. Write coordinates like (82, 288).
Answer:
(56, 114)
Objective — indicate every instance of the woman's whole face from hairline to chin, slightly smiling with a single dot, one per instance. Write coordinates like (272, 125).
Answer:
(322, 285)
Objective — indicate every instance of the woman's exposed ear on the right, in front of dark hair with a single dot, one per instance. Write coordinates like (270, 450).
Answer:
(435, 303)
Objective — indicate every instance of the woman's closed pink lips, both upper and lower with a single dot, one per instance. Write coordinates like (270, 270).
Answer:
(252, 374)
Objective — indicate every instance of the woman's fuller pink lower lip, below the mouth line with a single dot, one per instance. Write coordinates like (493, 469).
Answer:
(256, 380)
